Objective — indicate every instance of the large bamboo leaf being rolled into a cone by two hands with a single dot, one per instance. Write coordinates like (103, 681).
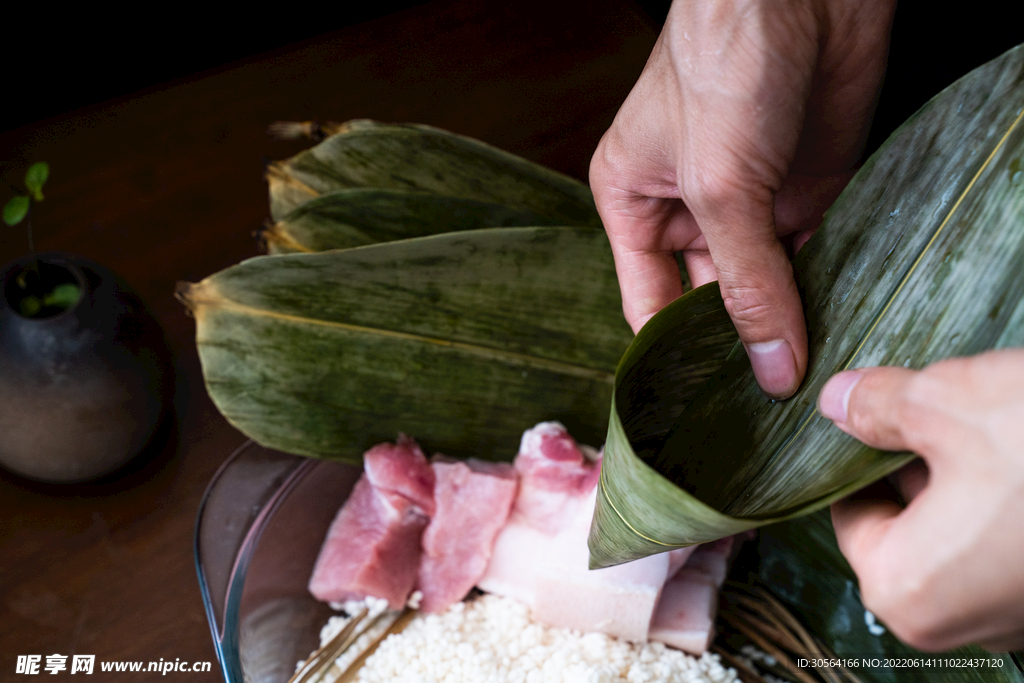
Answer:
(919, 260)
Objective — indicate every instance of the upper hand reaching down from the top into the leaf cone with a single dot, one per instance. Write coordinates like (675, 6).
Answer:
(742, 129)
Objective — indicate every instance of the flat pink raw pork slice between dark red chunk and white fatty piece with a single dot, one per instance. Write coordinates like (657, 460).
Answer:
(474, 500)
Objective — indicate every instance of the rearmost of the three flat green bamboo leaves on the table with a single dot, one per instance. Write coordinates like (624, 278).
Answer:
(424, 159)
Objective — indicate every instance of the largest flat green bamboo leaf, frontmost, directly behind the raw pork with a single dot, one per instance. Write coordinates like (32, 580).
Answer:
(460, 338)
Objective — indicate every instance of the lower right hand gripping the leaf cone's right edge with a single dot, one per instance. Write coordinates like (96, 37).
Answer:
(949, 569)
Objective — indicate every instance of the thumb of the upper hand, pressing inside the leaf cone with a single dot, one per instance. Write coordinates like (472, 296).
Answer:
(760, 293)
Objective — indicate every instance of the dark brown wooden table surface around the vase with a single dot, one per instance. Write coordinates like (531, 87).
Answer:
(167, 187)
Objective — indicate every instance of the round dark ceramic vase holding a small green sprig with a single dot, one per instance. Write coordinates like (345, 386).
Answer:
(82, 392)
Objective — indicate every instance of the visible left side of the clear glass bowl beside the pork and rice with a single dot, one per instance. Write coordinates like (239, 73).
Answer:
(260, 530)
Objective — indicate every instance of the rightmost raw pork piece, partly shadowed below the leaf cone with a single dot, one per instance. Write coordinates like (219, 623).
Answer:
(686, 616)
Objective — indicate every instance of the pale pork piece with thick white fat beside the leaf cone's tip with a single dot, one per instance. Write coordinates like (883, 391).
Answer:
(541, 557)
